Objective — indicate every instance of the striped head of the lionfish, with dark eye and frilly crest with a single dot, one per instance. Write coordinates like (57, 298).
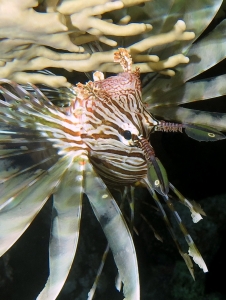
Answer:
(115, 122)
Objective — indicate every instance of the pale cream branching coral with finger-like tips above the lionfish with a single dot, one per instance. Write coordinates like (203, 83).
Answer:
(30, 39)
